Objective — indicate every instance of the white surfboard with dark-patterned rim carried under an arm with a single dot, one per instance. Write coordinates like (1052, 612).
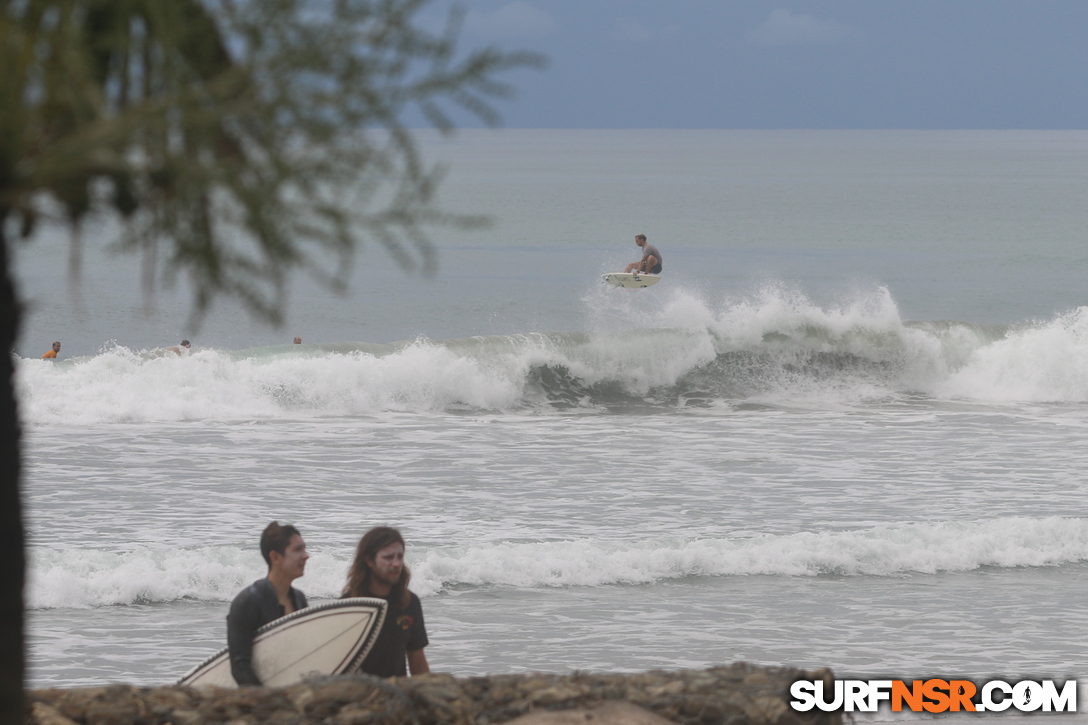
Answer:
(326, 640)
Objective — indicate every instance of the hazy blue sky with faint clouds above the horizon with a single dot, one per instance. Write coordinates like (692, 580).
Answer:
(790, 65)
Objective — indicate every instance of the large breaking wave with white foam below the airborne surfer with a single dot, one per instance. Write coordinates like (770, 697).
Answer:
(774, 346)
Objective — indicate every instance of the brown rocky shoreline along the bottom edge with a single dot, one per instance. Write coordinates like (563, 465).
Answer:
(731, 695)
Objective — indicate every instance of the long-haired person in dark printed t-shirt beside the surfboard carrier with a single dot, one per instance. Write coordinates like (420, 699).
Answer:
(379, 571)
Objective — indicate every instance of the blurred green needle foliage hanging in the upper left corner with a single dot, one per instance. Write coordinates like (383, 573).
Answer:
(237, 140)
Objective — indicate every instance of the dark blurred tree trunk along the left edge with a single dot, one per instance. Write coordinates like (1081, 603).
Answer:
(13, 558)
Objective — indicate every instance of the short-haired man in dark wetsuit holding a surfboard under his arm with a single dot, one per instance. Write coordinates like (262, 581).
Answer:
(267, 599)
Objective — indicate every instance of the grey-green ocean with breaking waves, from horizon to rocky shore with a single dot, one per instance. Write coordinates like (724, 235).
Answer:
(847, 429)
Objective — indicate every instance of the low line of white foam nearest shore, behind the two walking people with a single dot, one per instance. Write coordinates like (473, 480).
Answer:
(80, 579)
